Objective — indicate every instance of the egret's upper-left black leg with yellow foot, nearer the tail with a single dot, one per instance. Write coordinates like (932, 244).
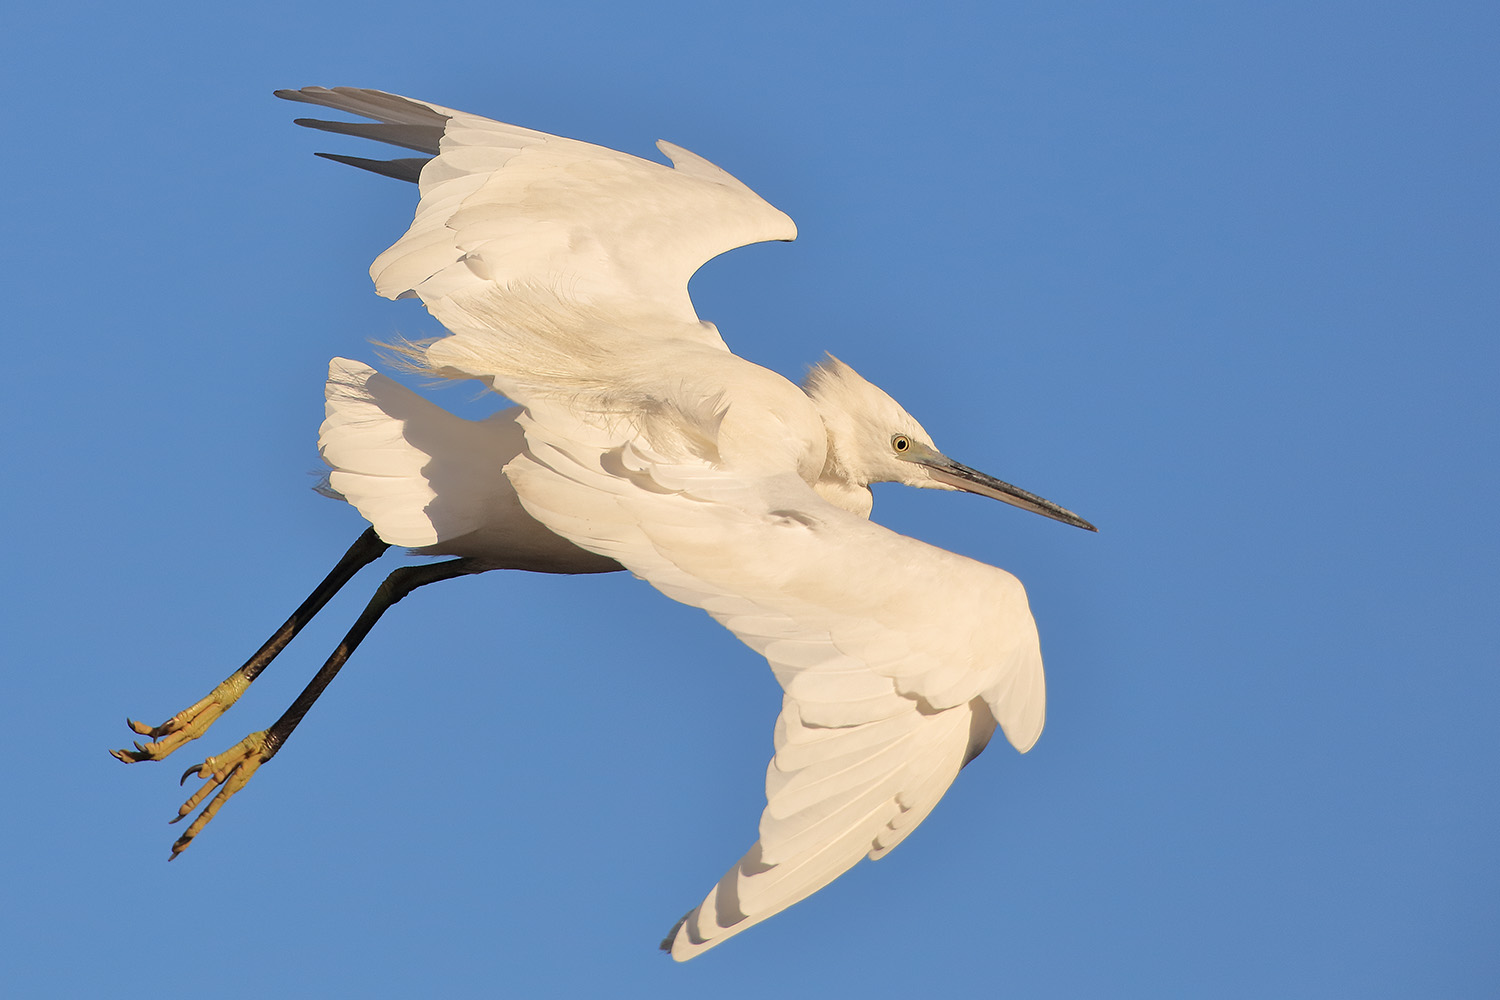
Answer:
(193, 722)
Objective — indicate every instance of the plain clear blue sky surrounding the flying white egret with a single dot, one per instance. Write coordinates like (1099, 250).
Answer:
(1222, 278)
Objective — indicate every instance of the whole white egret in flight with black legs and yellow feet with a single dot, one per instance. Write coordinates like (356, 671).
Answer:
(560, 271)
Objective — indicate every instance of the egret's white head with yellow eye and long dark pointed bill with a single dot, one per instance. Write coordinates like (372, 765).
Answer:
(872, 440)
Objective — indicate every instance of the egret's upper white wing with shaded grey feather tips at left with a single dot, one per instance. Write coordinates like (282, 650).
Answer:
(509, 209)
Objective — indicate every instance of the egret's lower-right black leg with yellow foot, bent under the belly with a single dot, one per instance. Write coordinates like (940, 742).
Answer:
(230, 771)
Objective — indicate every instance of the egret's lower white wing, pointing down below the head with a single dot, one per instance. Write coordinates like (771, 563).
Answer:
(898, 659)
